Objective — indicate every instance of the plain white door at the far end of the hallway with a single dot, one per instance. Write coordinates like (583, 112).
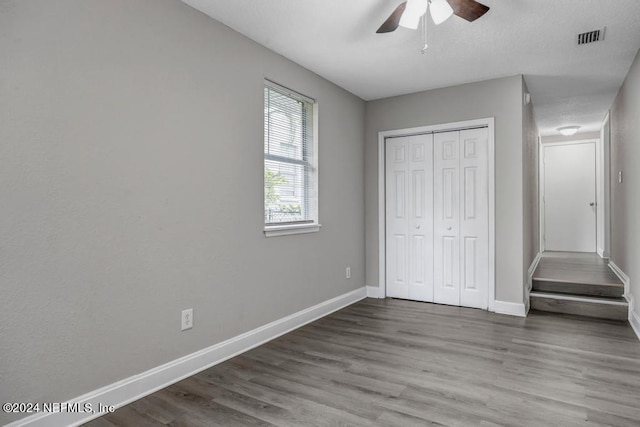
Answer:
(569, 197)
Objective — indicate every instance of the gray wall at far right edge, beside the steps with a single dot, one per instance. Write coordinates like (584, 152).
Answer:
(625, 196)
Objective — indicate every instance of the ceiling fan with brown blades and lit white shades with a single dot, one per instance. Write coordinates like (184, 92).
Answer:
(408, 13)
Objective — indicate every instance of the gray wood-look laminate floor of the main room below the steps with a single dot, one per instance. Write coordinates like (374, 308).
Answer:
(402, 363)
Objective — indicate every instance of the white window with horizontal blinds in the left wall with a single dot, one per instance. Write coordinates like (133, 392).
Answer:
(290, 168)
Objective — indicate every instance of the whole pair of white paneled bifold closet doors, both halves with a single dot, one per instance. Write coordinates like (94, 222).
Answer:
(437, 218)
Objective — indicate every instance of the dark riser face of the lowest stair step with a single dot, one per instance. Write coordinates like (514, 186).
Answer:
(580, 308)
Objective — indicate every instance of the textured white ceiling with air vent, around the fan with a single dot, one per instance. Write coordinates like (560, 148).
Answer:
(569, 84)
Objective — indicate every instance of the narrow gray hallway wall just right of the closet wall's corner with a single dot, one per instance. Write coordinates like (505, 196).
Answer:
(530, 183)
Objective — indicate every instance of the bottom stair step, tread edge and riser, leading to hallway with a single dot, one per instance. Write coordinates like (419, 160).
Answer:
(598, 307)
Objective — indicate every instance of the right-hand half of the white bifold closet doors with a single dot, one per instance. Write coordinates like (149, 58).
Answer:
(461, 218)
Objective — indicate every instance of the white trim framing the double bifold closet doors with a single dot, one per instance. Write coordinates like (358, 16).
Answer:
(489, 123)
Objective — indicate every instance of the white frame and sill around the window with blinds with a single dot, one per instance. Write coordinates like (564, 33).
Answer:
(298, 227)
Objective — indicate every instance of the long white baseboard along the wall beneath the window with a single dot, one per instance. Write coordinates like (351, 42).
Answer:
(128, 390)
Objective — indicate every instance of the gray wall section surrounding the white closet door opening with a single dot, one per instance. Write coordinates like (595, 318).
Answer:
(499, 98)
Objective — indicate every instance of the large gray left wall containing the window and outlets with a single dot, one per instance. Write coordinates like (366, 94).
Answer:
(131, 163)
